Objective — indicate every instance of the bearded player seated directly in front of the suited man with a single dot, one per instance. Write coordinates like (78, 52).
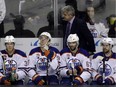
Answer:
(74, 64)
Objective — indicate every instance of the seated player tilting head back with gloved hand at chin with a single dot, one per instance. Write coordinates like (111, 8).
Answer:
(43, 62)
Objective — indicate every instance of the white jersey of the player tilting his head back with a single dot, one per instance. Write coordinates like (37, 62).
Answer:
(38, 61)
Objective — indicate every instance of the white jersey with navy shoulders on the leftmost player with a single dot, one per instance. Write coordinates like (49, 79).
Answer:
(17, 61)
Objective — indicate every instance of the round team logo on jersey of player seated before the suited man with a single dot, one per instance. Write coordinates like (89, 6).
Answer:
(74, 62)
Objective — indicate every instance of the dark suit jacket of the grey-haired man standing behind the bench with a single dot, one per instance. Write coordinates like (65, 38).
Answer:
(86, 40)
